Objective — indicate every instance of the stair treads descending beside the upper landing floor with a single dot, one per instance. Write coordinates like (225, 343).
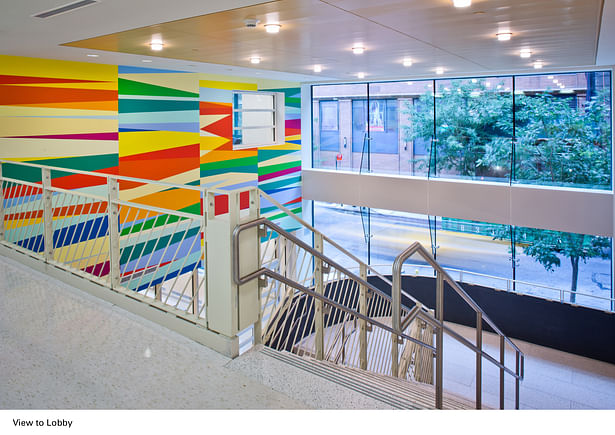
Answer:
(397, 393)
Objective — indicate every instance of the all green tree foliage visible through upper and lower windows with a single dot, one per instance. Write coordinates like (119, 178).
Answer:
(557, 142)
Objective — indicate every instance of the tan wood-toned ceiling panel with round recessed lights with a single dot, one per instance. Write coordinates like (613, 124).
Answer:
(431, 32)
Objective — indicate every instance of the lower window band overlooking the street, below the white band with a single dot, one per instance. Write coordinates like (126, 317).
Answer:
(565, 267)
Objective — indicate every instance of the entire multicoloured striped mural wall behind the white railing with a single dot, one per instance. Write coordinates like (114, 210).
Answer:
(163, 125)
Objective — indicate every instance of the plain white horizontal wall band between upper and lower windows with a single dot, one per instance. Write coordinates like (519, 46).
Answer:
(572, 210)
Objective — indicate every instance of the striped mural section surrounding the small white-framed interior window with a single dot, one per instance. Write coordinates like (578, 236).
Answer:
(274, 169)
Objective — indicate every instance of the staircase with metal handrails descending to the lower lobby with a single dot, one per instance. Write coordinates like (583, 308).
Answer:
(319, 311)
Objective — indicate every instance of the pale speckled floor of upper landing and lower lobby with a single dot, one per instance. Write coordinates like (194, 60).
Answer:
(64, 349)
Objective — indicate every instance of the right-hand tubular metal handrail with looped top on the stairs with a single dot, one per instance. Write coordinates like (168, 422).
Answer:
(441, 276)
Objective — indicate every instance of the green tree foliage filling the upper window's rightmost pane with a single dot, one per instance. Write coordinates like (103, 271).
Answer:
(559, 143)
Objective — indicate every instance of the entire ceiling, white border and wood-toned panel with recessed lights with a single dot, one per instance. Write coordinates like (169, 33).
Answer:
(212, 35)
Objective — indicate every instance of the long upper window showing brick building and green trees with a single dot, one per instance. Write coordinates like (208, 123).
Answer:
(547, 129)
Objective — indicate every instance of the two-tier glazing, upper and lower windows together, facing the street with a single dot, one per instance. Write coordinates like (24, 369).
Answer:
(547, 130)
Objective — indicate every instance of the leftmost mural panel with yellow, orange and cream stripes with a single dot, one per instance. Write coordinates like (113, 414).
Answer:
(61, 114)
